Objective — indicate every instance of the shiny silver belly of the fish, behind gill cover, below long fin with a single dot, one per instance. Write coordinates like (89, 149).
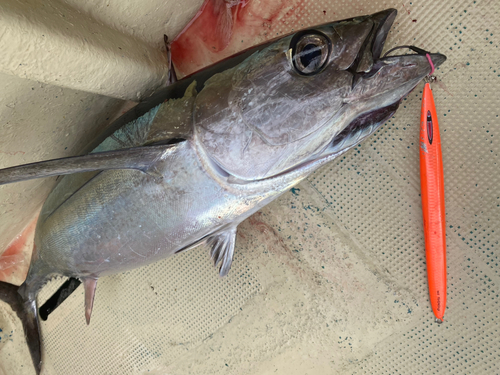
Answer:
(141, 218)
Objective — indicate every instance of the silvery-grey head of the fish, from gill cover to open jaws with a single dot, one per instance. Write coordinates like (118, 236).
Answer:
(312, 94)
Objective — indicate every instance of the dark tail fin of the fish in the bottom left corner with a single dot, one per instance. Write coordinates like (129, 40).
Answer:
(26, 310)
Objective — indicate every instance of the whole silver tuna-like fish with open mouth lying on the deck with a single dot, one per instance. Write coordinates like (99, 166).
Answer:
(252, 132)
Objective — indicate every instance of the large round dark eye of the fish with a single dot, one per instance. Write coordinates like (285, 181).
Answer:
(310, 52)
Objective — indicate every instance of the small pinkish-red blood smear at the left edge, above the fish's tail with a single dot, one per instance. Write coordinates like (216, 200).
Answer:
(14, 262)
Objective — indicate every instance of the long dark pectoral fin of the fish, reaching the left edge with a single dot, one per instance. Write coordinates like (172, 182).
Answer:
(140, 158)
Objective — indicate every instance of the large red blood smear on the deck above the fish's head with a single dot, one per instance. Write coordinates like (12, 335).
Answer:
(222, 28)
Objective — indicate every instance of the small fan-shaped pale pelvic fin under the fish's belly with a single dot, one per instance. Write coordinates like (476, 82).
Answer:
(222, 249)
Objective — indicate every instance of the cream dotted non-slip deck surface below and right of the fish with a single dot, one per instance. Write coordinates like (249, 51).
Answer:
(331, 277)
